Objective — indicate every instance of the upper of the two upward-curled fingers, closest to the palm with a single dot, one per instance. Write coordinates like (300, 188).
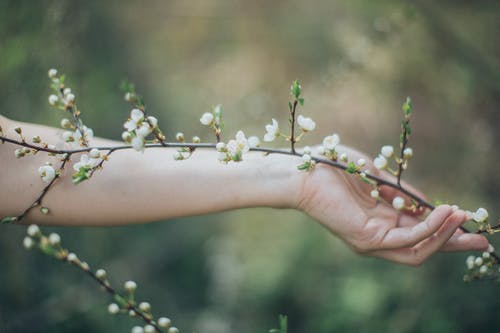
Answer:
(410, 235)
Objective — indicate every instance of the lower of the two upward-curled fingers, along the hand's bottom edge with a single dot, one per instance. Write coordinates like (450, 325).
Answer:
(419, 253)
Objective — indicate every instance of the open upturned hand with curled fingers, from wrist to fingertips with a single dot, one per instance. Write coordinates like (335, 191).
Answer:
(342, 203)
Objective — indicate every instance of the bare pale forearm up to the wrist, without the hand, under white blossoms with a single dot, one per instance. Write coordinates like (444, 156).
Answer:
(135, 187)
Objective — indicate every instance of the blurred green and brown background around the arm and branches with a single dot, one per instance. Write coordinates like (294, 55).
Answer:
(235, 272)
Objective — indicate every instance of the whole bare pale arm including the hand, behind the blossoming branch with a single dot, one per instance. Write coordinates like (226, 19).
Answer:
(143, 187)
